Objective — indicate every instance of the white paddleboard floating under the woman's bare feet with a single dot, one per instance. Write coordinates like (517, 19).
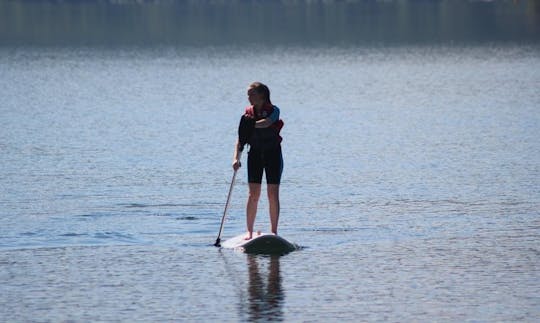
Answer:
(263, 243)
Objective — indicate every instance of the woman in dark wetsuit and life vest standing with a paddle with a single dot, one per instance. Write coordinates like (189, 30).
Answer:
(259, 128)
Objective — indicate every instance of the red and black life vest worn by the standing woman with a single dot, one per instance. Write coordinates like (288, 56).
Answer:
(263, 138)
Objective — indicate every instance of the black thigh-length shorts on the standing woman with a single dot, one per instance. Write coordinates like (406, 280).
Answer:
(269, 161)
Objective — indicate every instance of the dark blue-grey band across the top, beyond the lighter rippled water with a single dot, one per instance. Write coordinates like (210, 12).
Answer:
(272, 23)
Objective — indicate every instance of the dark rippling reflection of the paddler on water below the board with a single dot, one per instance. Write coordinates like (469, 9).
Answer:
(265, 303)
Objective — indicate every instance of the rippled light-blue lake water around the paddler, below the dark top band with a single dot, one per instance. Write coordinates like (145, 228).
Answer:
(411, 180)
